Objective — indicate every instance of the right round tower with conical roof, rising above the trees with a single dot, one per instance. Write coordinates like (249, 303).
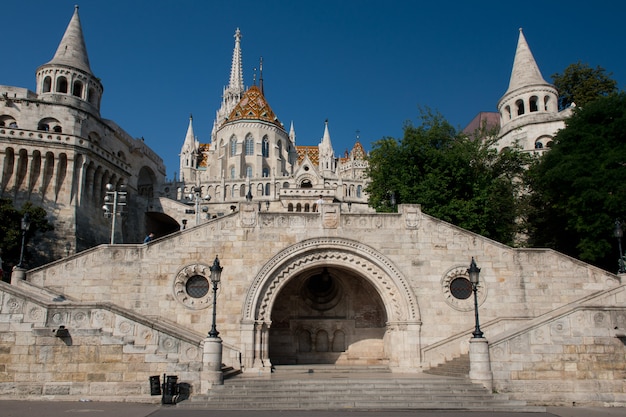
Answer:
(529, 113)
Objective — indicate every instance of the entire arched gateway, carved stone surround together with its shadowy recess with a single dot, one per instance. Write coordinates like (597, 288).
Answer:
(330, 300)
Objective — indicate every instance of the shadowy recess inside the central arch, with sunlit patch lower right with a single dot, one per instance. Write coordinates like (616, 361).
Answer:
(328, 315)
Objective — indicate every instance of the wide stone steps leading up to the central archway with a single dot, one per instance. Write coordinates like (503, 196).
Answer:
(334, 388)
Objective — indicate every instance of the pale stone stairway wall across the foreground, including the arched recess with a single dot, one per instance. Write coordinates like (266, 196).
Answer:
(329, 287)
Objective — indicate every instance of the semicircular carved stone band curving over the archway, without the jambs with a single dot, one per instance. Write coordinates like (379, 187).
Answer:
(397, 296)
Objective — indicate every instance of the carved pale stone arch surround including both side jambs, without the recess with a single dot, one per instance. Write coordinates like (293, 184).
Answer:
(399, 302)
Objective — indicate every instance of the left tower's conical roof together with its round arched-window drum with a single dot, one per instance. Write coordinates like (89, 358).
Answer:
(67, 78)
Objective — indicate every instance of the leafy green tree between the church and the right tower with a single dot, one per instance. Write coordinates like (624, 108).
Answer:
(455, 178)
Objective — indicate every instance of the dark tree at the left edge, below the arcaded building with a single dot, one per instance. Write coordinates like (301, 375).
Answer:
(10, 229)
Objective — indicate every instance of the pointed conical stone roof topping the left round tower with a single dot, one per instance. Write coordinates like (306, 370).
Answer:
(72, 51)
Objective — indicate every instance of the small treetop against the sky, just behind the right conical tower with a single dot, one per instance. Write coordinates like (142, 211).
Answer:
(582, 84)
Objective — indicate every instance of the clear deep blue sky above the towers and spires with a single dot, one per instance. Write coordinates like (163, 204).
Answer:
(365, 65)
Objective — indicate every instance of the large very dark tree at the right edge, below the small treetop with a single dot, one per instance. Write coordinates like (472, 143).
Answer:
(578, 188)
